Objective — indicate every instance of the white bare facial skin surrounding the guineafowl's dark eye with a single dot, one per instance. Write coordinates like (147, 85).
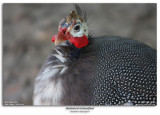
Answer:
(79, 29)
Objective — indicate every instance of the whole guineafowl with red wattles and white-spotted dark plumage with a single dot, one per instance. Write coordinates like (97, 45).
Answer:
(86, 70)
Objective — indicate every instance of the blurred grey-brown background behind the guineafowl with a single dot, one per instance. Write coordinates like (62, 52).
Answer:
(28, 29)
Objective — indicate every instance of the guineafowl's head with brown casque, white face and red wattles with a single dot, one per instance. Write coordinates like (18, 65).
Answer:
(74, 29)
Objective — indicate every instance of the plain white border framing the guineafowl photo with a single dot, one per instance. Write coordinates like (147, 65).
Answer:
(21, 110)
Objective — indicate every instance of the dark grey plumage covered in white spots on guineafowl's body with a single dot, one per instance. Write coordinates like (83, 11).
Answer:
(126, 72)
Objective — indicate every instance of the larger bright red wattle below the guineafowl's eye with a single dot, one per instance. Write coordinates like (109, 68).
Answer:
(79, 42)
